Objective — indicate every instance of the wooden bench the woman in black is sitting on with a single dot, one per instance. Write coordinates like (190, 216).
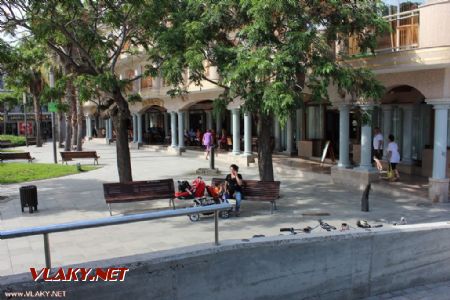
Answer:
(254, 190)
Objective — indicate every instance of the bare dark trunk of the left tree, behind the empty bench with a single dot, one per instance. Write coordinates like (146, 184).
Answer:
(120, 120)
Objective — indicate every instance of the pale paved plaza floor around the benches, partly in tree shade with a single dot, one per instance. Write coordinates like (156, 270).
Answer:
(304, 196)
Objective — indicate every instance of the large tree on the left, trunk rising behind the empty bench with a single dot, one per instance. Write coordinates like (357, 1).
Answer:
(97, 33)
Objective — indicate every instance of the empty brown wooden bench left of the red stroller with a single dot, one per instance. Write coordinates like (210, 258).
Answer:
(139, 191)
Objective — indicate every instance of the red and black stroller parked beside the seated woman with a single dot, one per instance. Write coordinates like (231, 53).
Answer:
(201, 194)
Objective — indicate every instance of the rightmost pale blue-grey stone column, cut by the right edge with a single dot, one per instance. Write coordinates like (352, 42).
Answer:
(439, 182)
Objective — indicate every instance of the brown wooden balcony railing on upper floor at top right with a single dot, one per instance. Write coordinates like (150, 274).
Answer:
(404, 34)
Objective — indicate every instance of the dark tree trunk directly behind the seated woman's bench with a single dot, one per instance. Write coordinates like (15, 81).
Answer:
(265, 165)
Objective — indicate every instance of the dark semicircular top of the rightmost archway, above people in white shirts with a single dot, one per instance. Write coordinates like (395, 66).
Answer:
(402, 94)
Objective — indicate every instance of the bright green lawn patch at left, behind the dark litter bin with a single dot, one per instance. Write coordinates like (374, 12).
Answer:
(23, 172)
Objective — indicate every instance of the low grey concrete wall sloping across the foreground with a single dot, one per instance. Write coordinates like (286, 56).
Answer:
(319, 266)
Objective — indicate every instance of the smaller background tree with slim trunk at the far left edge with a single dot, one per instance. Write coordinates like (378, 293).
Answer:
(24, 66)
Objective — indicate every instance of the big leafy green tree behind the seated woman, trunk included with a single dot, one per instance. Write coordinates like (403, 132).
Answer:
(268, 52)
